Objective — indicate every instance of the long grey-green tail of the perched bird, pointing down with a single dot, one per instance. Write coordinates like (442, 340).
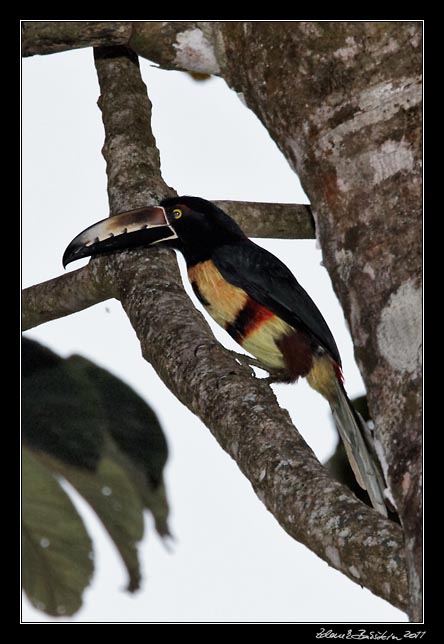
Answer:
(358, 444)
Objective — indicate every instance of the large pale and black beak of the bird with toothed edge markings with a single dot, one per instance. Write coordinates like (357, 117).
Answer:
(135, 228)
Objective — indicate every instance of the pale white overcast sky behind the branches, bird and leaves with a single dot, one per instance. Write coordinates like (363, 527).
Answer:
(231, 560)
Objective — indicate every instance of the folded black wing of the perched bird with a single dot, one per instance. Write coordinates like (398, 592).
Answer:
(268, 281)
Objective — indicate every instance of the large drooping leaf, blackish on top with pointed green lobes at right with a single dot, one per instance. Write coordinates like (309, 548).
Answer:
(84, 424)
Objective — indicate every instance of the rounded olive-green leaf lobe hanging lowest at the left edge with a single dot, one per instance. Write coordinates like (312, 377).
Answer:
(57, 562)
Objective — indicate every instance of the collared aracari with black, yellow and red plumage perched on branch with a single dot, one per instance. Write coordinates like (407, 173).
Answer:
(255, 298)
